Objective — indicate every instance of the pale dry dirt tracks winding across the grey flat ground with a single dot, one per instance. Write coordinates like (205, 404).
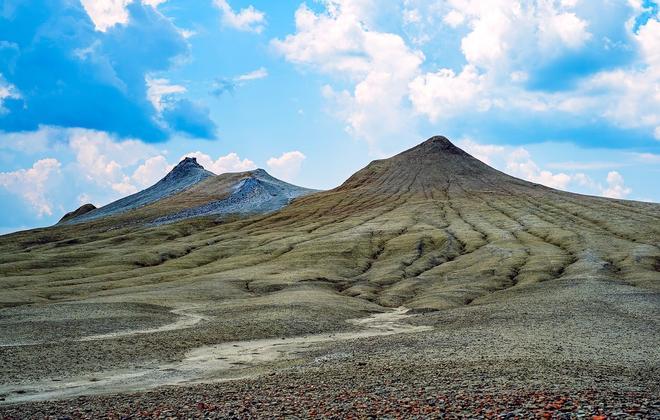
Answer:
(222, 362)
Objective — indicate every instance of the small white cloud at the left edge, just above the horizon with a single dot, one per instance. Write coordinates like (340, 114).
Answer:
(32, 184)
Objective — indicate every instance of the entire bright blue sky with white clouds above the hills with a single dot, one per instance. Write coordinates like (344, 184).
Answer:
(101, 98)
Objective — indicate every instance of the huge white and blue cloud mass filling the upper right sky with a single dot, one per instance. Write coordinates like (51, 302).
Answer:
(527, 61)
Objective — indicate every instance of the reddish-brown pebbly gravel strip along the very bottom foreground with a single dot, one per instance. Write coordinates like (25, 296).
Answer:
(359, 390)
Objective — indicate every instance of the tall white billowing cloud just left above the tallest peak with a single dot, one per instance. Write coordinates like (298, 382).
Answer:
(379, 64)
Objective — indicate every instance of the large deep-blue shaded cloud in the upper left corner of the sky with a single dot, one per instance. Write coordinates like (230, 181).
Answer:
(93, 76)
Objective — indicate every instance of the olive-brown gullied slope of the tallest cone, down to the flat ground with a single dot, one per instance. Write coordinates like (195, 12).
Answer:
(430, 228)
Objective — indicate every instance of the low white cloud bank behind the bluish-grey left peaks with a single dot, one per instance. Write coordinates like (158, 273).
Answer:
(91, 167)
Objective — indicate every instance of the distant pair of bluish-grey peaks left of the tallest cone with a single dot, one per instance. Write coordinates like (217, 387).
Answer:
(191, 191)
